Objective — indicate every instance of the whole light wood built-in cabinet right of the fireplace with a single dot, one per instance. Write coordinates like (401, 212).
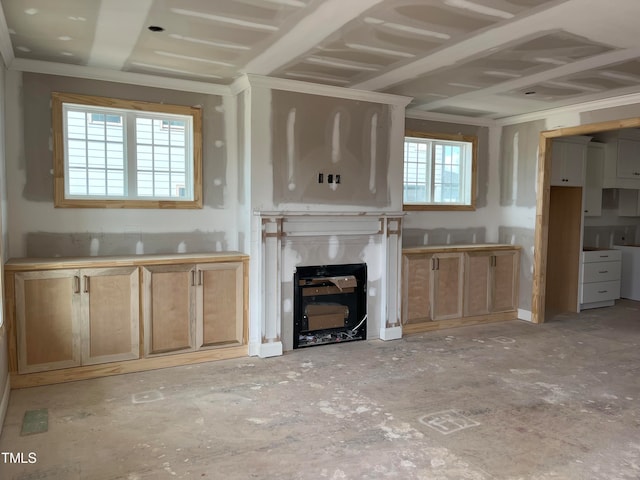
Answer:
(446, 286)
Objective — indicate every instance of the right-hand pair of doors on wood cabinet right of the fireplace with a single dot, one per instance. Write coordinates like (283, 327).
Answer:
(491, 282)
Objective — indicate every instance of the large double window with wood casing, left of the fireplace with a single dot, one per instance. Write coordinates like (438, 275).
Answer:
(127, 154)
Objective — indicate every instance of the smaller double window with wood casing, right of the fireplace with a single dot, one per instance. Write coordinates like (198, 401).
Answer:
(439, 172)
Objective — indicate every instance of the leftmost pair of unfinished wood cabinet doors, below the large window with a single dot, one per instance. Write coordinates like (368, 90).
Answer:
(76, 317)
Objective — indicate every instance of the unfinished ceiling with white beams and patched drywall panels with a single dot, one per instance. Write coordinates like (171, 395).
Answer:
(477, 58)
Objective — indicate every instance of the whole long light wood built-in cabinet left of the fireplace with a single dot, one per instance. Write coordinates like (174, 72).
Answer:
(77, 318)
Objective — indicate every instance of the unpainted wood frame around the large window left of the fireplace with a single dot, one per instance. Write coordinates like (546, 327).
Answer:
(59, 168)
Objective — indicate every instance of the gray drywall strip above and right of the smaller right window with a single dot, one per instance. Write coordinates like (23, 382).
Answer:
(429, 126)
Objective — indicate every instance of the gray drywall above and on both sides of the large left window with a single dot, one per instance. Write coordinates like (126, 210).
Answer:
(38, 157)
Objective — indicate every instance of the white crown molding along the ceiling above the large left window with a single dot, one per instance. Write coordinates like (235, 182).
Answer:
(93, 73)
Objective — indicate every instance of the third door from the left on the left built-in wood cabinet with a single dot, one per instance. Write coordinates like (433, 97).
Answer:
(169, 308)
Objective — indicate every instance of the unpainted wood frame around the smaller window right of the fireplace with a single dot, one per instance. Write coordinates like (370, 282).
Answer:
(473, 140)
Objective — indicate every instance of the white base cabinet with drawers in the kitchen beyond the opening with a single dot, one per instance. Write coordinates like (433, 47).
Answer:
(600, 281)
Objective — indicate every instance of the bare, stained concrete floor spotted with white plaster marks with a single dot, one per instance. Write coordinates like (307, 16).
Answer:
(503, 401)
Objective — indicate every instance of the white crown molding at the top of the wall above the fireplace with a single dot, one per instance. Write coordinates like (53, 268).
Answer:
(328, 90)
